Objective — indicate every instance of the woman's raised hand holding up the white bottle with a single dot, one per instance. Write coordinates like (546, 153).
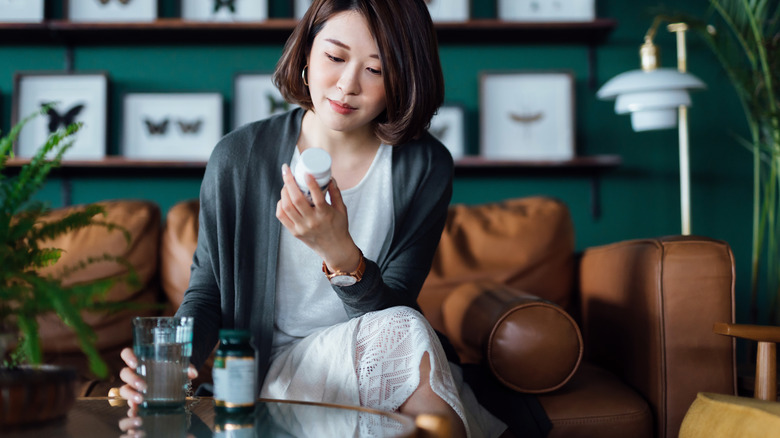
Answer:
(321, 226)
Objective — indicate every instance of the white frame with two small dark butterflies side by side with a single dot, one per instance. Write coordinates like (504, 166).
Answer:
(171, 126)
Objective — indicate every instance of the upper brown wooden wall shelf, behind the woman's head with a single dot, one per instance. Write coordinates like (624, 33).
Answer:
(276, 31)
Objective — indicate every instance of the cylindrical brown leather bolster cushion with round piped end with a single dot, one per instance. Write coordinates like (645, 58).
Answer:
(530, 344)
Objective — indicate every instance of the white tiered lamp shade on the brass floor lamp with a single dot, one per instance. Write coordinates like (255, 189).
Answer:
(651, 97)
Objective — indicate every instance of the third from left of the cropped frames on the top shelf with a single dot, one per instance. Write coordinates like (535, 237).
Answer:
(224, 10)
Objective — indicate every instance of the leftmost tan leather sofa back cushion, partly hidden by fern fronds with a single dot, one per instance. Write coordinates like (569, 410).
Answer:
(142, 220)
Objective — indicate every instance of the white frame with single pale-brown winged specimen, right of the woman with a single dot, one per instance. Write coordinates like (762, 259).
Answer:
(527, 115)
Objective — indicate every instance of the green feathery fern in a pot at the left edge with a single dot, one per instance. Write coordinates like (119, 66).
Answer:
(25, 293)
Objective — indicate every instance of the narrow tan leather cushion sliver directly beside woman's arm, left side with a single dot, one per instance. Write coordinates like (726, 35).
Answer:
(177, 246)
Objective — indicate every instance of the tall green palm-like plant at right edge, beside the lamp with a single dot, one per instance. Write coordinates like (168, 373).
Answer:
(745, 37)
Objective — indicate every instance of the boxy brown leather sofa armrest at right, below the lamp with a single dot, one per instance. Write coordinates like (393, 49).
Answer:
(647, 309)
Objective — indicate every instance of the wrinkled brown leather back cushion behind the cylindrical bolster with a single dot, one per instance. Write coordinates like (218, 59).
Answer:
(526, 243)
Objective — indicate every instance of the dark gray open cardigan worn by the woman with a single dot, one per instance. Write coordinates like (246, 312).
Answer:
(233, 274)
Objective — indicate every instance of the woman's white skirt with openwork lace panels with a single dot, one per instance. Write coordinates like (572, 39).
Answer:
(373, 361)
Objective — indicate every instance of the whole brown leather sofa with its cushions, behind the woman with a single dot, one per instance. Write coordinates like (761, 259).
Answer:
(616, 341)
